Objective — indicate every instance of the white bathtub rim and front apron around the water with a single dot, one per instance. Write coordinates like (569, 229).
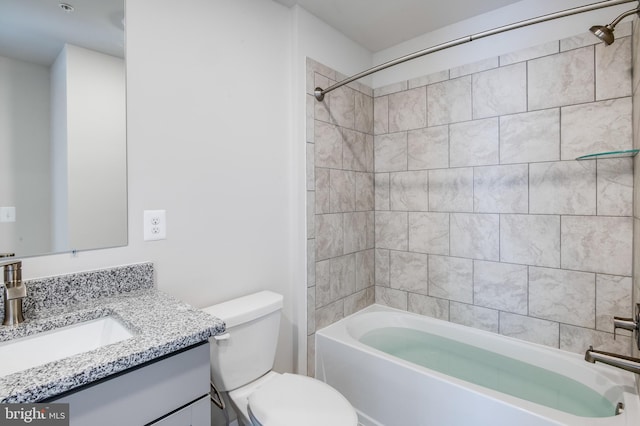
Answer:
(389, 391)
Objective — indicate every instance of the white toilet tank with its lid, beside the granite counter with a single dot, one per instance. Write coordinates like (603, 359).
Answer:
(253, 324)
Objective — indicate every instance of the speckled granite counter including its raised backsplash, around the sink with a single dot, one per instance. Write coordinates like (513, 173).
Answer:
(160, 323)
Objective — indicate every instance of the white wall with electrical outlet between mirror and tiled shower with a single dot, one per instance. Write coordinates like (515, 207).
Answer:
(208, 125)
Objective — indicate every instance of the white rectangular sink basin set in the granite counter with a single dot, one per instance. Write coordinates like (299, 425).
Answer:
(26, 352)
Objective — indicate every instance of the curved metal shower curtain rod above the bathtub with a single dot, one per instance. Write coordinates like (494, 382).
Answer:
(319, 92)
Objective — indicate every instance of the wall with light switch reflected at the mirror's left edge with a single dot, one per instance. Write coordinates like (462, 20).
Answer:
(24, 140)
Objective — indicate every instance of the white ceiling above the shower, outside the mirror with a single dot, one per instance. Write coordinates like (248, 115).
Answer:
(378, 24)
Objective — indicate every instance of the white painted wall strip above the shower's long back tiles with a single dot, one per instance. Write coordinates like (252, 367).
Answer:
(493, 45)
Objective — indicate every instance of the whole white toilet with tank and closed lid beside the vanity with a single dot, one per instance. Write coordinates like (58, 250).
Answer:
(241, 363)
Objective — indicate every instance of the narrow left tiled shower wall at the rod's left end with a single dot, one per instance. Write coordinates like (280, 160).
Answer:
(340, 201)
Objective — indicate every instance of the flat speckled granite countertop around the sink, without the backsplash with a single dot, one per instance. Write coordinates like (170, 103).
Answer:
(160, 325)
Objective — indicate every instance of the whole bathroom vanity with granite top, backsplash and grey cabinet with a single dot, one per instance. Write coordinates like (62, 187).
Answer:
(159, 375)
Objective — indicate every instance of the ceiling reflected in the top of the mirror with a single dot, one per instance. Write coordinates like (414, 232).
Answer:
(36, 30)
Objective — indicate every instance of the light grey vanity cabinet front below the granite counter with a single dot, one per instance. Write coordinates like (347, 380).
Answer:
(173, 391)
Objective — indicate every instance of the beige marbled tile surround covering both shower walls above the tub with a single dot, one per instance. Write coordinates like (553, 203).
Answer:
(482, 215)
